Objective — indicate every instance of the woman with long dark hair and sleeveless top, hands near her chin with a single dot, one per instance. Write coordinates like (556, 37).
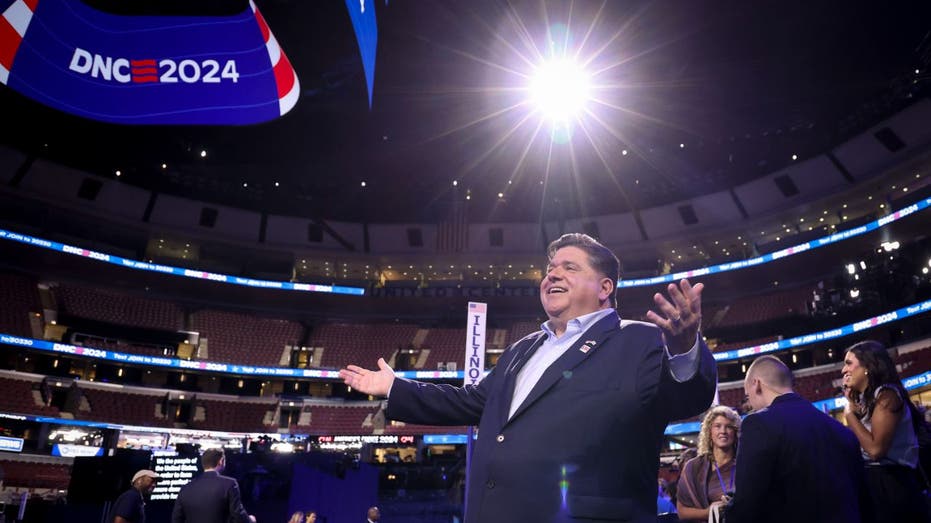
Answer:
(886, 422)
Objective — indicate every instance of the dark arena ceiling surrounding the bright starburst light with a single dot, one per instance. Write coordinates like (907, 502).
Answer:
(694, 97)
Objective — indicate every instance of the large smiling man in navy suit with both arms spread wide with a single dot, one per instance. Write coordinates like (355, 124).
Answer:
(571, 419)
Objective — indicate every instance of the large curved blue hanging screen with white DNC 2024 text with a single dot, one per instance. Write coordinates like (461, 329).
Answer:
(145, 69)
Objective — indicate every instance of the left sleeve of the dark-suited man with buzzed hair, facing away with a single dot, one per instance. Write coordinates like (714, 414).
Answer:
(757, 456)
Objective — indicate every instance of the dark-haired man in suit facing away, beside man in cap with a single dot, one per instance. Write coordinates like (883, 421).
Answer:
(210, 497)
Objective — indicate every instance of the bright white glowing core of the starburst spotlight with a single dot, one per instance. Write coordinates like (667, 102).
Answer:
(560, 89)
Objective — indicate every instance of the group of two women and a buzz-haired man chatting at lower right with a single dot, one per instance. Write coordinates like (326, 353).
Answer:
(788, 461)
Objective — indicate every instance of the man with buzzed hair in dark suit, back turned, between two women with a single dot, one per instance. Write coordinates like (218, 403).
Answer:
(794, 462)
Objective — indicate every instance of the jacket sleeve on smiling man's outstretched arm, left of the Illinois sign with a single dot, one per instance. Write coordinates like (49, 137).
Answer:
(431, 404)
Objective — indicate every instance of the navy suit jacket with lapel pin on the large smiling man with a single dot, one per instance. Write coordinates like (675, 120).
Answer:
(584, 444)
